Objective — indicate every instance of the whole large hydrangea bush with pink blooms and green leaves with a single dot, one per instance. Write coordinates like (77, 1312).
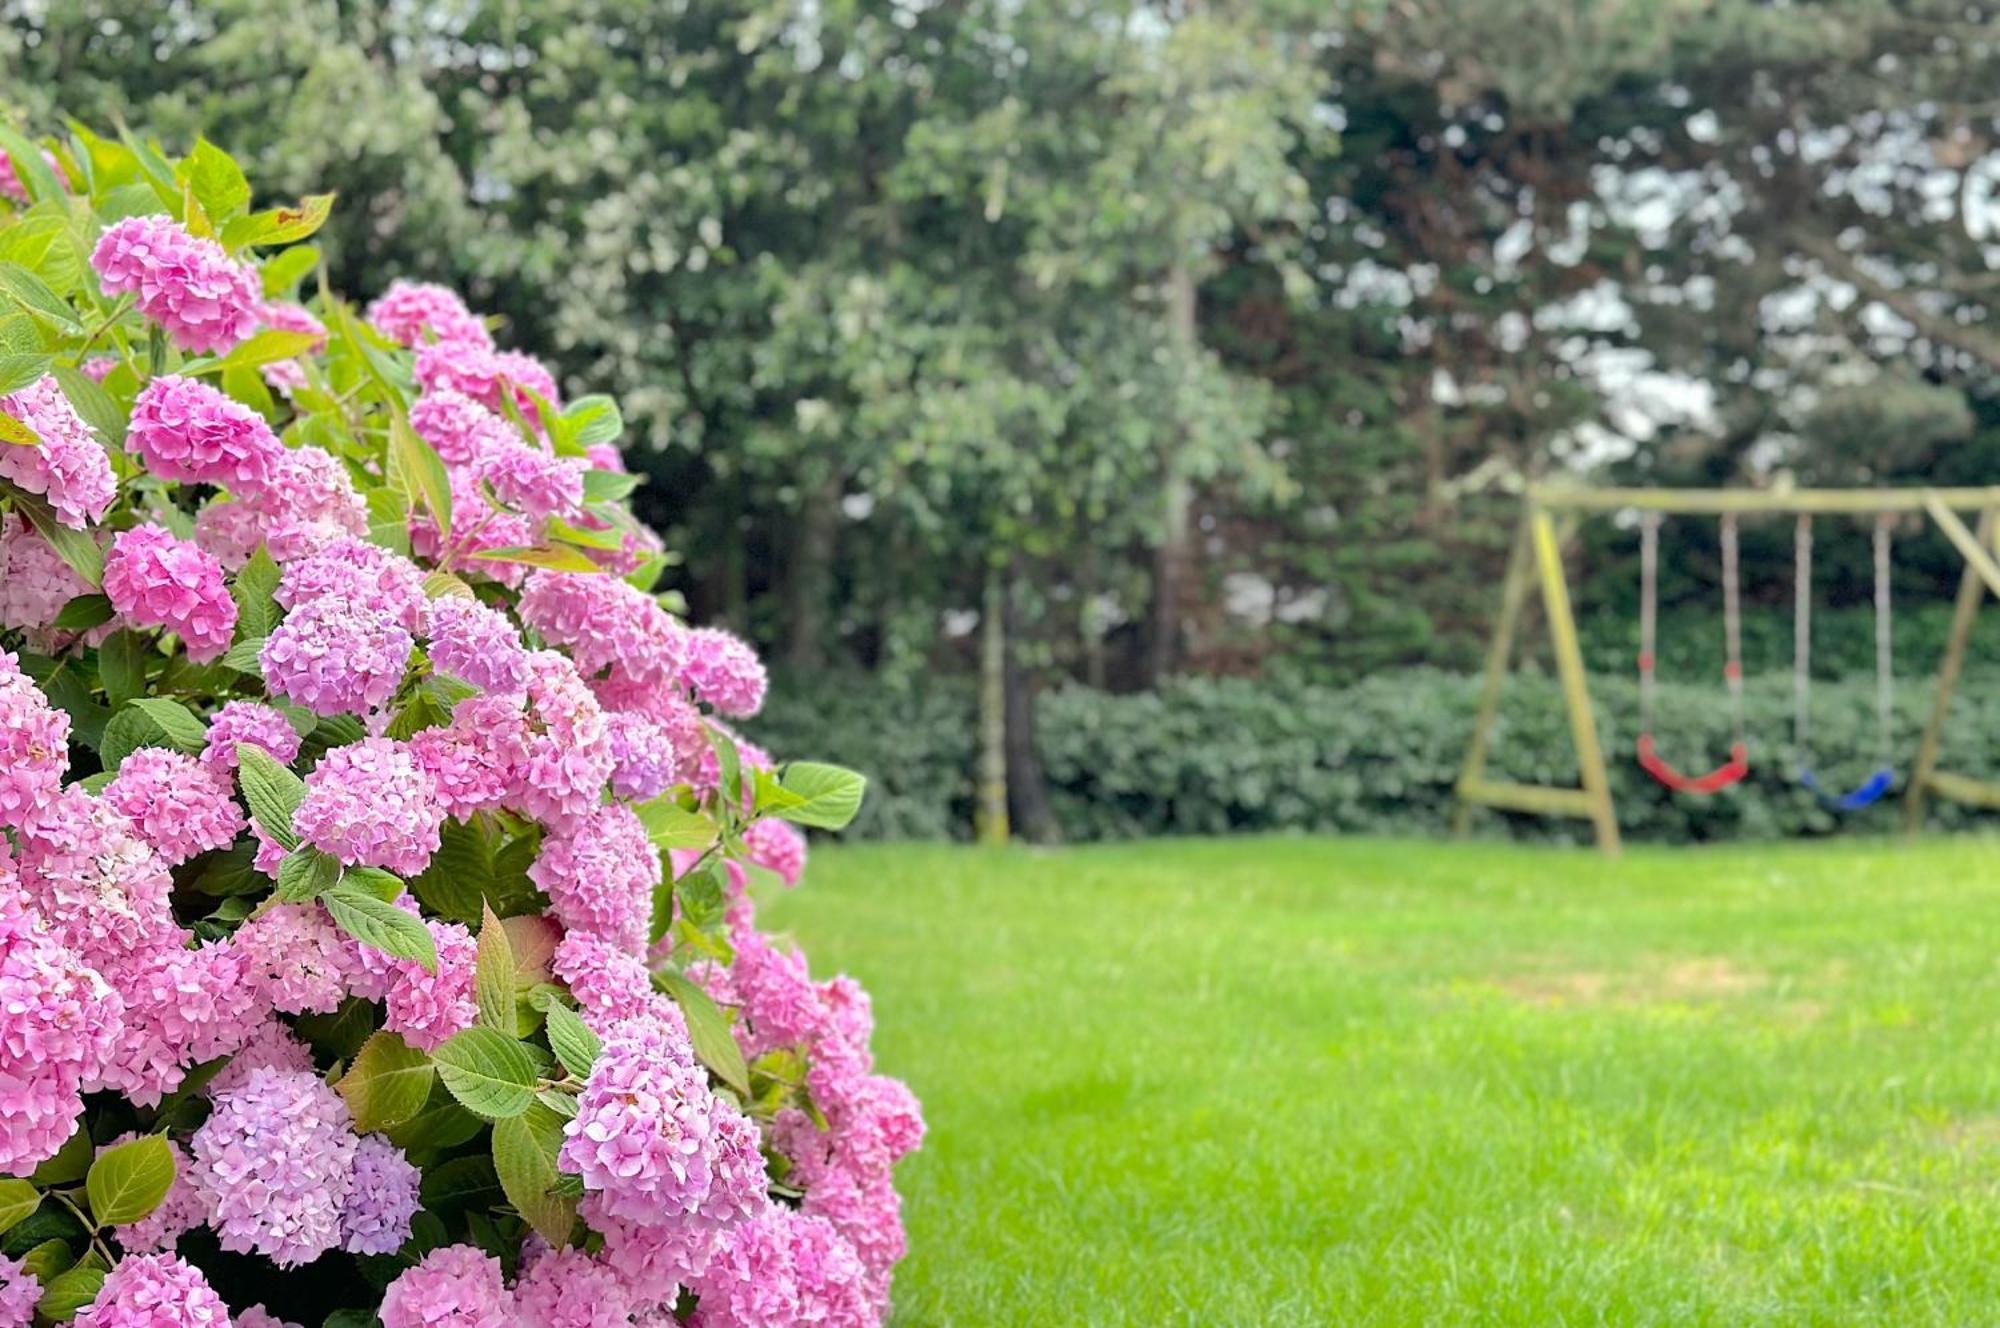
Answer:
(375, 851)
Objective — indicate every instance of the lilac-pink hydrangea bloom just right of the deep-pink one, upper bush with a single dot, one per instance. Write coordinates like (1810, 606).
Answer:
(335, 657)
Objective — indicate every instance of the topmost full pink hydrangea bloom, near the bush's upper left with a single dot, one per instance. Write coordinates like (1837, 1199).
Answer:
(187, 285)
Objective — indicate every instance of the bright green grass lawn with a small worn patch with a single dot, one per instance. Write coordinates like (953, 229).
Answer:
(1383, 1083)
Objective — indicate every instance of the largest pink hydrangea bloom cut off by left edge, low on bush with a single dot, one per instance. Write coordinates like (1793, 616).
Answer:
(59, 1021)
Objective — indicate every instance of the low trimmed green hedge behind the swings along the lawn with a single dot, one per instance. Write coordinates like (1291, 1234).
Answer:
(1381, 757)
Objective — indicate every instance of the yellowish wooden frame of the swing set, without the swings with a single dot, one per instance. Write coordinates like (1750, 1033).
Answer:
(1551, 515)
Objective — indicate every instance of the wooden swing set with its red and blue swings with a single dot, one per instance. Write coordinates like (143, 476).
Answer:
(1537, 565)
